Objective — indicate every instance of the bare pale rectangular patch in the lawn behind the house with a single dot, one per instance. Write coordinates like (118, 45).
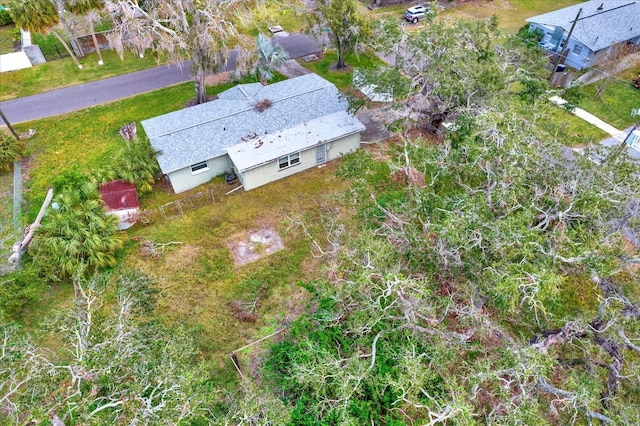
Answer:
(255, 245)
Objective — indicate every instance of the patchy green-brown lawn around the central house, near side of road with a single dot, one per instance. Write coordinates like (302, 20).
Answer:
(198, 278)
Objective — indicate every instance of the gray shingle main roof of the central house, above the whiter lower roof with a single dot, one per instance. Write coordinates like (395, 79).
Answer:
(205, 131)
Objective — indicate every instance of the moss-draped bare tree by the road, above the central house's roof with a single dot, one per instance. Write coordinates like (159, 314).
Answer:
(204, 32)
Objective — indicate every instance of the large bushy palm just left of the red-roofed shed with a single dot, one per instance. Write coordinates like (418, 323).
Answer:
(76, 235)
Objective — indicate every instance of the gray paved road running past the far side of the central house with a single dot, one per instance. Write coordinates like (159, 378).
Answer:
(73, 98)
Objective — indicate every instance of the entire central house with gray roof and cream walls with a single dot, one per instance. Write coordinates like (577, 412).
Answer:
(259, 133)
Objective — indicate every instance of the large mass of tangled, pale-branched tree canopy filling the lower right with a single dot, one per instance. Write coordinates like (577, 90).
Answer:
(490, 281)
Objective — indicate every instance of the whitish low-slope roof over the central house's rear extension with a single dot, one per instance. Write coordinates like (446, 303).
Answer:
(262, 149)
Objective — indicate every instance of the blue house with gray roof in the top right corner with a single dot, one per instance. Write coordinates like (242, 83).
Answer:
(602, 24)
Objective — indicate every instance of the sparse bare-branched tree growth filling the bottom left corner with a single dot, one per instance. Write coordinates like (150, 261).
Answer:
(114, 367)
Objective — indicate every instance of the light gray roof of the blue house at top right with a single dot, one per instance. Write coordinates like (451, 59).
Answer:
(619, 20)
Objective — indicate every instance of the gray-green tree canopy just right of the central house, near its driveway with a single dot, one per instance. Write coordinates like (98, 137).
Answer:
(457, 66)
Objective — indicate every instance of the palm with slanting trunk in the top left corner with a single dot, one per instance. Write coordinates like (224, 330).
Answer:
(39, 16)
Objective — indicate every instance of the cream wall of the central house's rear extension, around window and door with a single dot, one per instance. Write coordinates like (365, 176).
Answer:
(269, 172)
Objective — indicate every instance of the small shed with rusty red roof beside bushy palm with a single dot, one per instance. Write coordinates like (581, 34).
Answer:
(121, 200)
